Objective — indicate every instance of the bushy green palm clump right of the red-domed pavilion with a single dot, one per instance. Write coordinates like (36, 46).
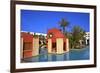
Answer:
(77, 35)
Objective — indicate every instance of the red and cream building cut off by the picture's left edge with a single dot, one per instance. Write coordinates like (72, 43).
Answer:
(29, 45)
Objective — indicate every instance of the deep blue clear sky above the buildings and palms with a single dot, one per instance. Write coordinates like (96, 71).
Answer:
(41, 21)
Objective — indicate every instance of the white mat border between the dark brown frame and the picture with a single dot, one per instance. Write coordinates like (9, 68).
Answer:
(51, 64)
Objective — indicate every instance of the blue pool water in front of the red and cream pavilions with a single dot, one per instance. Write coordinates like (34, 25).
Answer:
(82, 54)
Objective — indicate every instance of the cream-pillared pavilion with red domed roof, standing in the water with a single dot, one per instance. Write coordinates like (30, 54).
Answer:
(57, 42)
